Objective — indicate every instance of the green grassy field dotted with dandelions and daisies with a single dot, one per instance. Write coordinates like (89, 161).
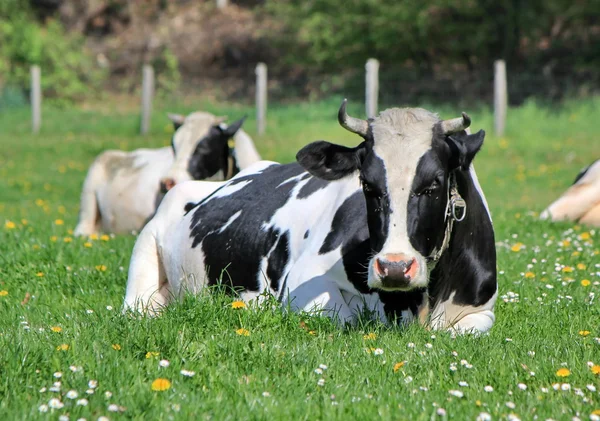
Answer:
(67, 351)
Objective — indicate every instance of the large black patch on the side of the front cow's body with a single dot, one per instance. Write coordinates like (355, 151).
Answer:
(236, 253)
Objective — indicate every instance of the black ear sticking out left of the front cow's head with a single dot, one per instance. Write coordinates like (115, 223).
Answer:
(329, 161)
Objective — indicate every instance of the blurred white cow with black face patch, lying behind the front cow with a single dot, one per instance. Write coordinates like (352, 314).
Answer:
(123, 189)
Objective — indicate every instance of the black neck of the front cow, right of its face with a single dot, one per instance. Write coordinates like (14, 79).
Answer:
(467, 268)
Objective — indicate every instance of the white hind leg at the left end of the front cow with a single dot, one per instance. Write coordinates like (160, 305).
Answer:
(147, 286)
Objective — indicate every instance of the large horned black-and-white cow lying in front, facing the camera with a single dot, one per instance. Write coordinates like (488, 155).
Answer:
(397, 224)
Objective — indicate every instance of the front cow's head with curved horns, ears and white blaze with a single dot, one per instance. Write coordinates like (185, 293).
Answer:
(404, 165)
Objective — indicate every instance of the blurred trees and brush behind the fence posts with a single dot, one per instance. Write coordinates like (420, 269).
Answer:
(435, 50)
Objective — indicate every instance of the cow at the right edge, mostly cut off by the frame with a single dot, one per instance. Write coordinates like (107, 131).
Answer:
(581, 202)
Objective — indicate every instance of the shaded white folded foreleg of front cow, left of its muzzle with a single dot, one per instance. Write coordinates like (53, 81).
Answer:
(319, 294)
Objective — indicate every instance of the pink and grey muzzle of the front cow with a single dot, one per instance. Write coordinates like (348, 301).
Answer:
(396, 271)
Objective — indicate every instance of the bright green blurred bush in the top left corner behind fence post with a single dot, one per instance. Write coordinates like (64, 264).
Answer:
(68, 70)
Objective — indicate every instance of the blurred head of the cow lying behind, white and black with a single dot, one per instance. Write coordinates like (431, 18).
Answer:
(201, 148)
